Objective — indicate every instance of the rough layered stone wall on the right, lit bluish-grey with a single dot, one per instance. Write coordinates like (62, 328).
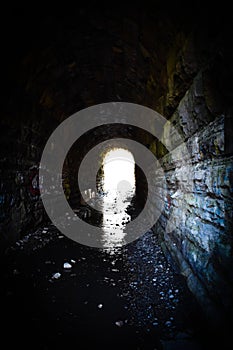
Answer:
(195, 226)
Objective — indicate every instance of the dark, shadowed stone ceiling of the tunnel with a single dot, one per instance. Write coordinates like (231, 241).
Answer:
(60, 61)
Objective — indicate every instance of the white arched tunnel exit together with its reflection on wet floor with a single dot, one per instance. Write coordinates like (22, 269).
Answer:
(119, 188)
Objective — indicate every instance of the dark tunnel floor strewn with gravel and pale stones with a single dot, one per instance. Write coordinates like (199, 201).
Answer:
(131, 298)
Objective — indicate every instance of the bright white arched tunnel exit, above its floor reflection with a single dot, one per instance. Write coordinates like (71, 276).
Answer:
(119, 171)
